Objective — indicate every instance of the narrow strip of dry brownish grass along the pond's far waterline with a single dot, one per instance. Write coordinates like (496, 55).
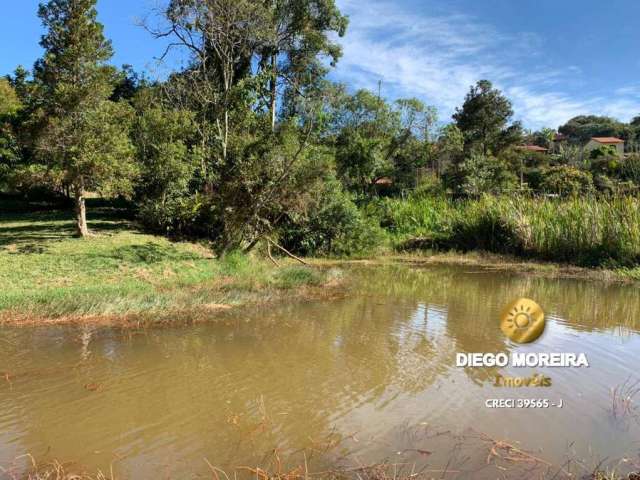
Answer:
(326, 282)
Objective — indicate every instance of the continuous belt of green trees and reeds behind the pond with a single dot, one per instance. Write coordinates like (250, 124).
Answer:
(250, 142)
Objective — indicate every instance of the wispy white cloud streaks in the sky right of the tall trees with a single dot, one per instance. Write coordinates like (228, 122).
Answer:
(438, 57)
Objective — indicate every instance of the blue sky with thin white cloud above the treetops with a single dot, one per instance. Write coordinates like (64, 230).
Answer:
(554, 58)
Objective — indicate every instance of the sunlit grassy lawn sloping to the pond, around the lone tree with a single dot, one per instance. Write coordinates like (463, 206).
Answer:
(46, 273)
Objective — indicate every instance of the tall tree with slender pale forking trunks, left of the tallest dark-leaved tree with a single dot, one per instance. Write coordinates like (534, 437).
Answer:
(222, 38)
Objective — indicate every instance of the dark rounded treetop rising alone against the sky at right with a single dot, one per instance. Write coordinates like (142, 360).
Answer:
(483, 120)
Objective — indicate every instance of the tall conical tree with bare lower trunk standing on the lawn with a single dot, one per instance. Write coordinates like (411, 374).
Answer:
(81, 133)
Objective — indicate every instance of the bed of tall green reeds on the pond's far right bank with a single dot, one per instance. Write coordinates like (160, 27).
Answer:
(582, 231)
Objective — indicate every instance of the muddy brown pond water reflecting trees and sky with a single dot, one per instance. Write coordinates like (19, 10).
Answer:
(357, 380)
